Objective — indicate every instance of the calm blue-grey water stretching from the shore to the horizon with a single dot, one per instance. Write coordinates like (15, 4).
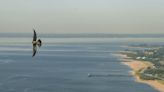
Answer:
(63, 65)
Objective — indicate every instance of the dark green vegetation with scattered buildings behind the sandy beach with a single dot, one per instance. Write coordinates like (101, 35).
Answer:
(155, 56)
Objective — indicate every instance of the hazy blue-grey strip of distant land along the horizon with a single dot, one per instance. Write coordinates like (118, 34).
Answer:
(84, 35)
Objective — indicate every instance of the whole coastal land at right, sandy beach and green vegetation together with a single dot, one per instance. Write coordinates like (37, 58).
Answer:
(147, 64)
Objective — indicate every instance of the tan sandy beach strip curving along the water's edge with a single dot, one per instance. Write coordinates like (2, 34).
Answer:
(137, 65)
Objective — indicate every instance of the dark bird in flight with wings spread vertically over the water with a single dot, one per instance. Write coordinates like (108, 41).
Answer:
(35, 43)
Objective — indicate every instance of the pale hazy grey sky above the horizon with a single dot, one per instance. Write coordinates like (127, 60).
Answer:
(82, 16)
